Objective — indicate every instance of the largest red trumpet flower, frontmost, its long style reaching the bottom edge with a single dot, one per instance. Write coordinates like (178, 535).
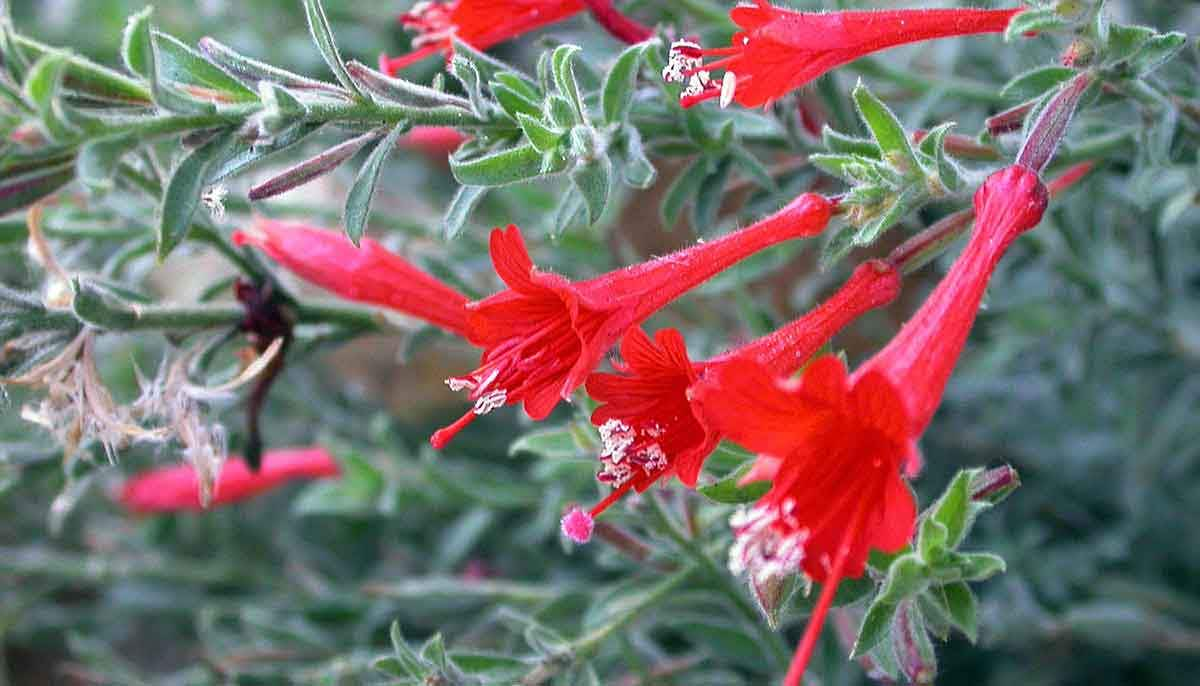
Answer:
(835, 447)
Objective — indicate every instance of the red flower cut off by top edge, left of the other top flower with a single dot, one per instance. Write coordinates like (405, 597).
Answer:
(478, 23)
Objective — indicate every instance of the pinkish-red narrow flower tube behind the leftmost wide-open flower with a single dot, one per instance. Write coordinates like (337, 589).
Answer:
(367, 274)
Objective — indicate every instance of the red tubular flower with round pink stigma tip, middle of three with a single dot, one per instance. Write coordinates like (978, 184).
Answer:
(647, 422)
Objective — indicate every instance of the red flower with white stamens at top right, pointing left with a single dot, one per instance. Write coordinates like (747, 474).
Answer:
(779, 51)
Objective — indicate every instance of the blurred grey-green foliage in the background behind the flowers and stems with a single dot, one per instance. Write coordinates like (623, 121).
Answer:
(1084, 374)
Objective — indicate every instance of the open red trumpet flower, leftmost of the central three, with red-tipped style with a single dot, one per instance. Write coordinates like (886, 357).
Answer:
(544, 335)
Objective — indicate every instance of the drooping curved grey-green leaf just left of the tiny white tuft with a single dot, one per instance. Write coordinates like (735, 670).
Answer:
(182, 197)
